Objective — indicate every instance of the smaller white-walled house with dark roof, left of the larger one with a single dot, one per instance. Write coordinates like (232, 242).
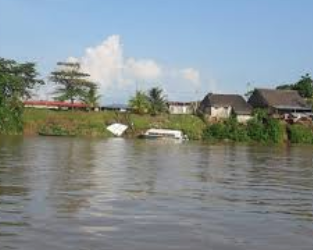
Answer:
(222, 106)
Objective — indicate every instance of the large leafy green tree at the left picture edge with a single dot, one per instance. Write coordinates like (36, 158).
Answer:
(17, 80)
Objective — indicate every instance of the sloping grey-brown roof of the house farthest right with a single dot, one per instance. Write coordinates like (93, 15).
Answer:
(283, 99)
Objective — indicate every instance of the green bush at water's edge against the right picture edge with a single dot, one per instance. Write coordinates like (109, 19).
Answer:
(300, 134)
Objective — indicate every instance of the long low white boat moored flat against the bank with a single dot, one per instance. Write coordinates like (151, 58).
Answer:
(163, 134)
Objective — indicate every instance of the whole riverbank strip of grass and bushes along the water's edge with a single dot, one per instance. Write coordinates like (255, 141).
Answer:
(261, 129)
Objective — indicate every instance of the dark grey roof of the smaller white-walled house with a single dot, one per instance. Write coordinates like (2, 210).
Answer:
(237, 102)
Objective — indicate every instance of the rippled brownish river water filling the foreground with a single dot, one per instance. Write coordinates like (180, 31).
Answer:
(83, 194)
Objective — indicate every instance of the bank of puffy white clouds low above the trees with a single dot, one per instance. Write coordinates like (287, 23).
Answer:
(108, 66)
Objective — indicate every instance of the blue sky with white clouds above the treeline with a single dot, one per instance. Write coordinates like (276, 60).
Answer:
(186, 47)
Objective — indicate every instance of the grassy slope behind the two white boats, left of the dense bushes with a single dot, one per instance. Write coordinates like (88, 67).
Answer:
(76, 123)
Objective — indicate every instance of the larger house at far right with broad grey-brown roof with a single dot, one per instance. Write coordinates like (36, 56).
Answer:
(279, 102)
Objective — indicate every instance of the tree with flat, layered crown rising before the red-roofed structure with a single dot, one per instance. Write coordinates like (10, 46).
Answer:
(73, 84)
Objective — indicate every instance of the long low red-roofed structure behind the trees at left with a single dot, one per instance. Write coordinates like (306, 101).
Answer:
(55, 105)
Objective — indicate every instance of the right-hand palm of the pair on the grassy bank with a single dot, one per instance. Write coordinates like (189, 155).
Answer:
(157, 101)
